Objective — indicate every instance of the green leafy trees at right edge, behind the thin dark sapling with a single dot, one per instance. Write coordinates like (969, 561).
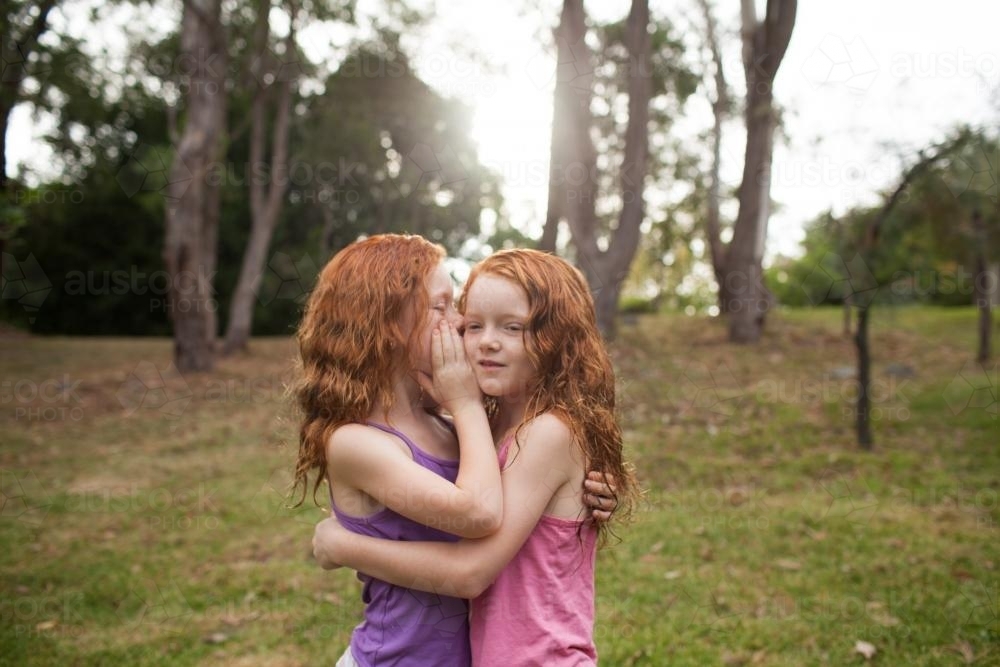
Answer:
(927, 247)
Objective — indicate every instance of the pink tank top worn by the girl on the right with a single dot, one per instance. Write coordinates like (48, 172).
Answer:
(540, 610)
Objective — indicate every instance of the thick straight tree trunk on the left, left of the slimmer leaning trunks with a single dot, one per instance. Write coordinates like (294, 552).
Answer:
(192, 212)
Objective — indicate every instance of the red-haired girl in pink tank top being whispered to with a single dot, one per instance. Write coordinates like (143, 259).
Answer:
(531, 335)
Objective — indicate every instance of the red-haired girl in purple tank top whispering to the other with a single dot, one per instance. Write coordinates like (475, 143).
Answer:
(380, 352)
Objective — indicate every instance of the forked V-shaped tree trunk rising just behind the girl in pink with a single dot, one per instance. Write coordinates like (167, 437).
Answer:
(606, 269)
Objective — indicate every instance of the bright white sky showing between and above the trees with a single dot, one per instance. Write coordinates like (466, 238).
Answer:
(862, 87)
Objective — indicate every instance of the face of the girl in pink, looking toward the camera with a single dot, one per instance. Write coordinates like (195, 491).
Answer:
(497, 313)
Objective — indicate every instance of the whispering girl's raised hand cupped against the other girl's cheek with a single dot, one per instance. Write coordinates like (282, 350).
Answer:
(453, 382)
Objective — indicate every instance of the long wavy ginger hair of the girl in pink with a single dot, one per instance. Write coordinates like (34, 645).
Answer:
(575, 379)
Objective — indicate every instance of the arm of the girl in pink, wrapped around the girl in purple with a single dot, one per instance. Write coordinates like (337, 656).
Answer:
(544, 464)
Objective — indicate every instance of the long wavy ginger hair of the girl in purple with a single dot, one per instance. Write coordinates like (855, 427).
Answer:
(351, 339)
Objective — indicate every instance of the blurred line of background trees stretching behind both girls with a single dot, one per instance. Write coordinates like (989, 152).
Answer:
(305, 154)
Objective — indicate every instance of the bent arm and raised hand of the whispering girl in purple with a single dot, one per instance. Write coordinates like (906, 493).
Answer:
(375, 463)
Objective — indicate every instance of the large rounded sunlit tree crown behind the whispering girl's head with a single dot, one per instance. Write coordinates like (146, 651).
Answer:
(398, 155)
